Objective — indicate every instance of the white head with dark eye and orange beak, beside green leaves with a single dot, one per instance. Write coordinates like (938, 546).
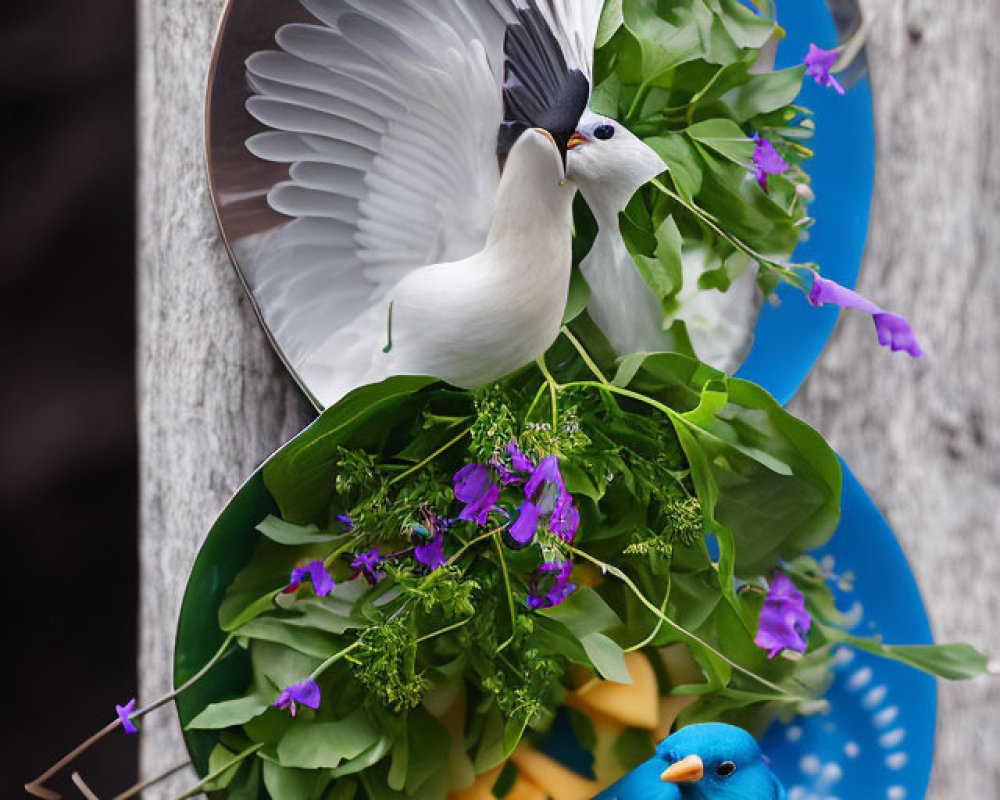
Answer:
(609, 164)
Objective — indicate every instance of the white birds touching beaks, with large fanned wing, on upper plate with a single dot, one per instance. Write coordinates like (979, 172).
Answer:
(432, 214)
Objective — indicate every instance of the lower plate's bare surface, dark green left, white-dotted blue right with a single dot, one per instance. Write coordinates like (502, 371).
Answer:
(876, 742)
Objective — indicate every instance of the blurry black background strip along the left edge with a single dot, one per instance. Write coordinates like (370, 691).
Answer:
(67, 417)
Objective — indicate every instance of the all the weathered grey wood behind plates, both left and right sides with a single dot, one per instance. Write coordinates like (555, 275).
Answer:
(922, 437)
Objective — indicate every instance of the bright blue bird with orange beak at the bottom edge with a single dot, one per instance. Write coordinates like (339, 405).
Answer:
(701, 762)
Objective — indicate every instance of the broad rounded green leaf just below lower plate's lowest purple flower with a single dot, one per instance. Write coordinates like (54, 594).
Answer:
(325, 745)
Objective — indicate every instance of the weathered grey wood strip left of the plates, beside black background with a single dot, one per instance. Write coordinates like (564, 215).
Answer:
(213, 400)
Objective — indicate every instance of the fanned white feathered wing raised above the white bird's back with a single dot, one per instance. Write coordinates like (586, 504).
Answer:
(388, 113)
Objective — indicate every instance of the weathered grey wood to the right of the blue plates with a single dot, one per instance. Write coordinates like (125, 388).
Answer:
(924, 437)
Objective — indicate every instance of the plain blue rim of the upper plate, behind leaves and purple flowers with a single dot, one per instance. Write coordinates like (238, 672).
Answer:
(791, 335)
